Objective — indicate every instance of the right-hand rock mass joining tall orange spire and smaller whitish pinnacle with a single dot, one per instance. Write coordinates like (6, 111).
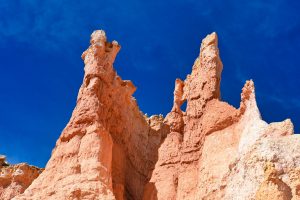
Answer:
(208, 159)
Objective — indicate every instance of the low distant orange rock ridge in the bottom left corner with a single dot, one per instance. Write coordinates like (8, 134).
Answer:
(14, 179)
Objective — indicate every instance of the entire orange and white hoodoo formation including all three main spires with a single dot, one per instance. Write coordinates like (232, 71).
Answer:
(211, 150)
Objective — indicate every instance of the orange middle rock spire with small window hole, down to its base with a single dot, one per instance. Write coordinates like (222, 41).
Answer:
(204, 114)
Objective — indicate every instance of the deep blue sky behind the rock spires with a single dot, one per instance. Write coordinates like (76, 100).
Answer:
(41, 70)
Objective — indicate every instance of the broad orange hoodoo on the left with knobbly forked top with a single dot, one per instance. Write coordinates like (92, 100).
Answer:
(109, 148)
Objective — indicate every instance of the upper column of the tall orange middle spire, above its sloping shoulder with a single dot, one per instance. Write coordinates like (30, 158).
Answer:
(203, 84)
